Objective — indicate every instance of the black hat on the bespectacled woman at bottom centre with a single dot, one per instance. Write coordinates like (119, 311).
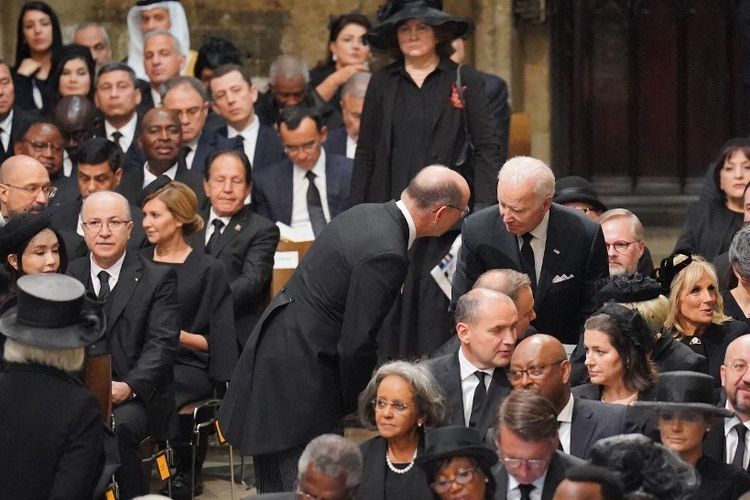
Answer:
(455, 441)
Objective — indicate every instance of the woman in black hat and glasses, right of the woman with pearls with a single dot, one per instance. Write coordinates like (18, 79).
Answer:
(457, 464)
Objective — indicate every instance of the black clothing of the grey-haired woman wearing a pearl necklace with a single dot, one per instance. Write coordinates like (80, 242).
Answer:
(374, 474)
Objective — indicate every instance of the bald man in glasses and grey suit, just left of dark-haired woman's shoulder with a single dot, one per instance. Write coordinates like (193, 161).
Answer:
(539, 363)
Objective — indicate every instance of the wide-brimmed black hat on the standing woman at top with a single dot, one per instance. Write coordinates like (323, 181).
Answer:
(430, 12)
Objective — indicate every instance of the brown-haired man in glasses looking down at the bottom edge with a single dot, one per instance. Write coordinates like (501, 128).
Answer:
(530, 465)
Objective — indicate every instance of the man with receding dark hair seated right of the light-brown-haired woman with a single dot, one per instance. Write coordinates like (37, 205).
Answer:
(243, 240)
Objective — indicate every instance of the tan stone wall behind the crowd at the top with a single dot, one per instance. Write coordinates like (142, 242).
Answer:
(262, 29)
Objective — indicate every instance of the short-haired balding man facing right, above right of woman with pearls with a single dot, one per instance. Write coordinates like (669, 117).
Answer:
(473, 376)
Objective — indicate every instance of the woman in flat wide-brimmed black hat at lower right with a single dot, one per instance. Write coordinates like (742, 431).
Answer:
(684, 402)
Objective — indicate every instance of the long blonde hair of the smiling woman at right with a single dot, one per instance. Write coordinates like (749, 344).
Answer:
(685, 280)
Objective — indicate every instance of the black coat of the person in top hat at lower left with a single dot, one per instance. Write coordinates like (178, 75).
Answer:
(50, 433)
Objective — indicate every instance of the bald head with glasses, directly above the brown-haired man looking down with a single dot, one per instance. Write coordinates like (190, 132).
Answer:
(539, 363)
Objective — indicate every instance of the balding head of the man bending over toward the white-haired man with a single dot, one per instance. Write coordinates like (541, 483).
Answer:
(437, 197)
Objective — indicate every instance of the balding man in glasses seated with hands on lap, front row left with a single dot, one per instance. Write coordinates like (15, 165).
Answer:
(140, 299)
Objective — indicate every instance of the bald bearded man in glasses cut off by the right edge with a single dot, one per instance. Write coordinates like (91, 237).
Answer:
(728, 440)
